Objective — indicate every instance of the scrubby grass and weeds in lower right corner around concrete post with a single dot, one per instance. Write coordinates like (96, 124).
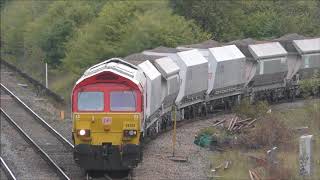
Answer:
(281, 129)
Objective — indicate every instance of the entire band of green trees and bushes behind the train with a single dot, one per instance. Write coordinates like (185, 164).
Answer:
(72, 35)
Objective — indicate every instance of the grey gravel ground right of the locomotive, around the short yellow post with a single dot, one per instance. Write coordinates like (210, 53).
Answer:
(157, 165)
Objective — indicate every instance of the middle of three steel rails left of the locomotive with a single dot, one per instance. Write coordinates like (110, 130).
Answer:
(44, 155)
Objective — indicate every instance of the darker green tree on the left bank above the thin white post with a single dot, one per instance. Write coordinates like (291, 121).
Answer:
(51, 31)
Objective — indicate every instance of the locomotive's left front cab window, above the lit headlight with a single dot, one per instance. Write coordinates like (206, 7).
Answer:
(90, 101)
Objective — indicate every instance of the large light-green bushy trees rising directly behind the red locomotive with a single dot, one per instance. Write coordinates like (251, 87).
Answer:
(125, 27)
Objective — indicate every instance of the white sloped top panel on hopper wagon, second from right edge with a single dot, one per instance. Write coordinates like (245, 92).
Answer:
(267, 50)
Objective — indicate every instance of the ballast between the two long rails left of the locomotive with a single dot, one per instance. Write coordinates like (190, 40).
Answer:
(50, 144)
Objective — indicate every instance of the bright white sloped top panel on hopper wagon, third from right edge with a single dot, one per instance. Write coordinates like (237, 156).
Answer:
(225, 53)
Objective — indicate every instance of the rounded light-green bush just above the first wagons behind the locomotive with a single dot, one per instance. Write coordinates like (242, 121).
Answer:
(160, 28)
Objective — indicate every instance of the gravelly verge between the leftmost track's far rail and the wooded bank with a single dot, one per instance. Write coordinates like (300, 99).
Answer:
(37, 102)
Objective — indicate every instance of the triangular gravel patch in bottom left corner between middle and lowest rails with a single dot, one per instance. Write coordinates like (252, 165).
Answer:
(21, 157)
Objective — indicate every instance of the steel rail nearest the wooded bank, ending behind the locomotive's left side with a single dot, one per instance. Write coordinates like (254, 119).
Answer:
(40, 119)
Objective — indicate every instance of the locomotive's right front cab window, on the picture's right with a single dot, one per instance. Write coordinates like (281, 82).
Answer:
(123, 101)
